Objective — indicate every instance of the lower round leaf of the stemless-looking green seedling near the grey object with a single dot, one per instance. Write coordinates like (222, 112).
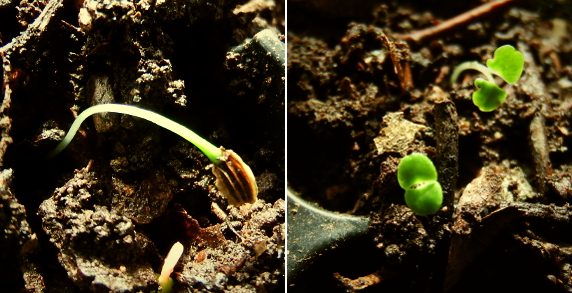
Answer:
(425, 199)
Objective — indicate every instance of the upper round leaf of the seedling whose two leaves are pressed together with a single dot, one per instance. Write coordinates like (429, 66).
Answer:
(414, 169)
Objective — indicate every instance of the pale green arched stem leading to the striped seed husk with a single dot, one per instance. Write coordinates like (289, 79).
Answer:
(211, 151)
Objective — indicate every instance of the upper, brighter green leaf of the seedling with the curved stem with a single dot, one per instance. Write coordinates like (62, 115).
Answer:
(507, 63)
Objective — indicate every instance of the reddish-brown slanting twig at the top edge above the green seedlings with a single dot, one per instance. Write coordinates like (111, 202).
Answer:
(460, 19)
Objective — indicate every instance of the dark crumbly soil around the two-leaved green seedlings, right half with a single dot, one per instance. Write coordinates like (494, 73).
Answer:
(364, 90)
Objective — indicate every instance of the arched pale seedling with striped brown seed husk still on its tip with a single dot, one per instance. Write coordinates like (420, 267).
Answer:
(235, 179)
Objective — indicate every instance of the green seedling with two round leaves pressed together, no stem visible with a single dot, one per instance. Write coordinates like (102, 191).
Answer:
(418, 176)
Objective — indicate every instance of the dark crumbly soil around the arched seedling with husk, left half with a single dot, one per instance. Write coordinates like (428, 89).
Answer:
(103, 214)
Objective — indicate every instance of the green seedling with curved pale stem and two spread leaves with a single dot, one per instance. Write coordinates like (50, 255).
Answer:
(506, 63)
